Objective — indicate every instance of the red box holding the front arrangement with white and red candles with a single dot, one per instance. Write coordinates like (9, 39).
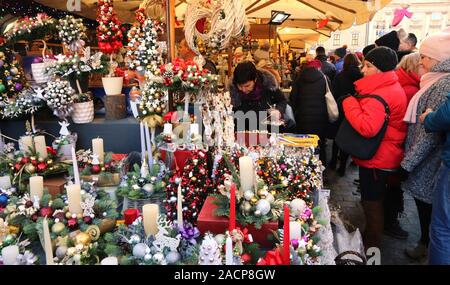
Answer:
(209, 222)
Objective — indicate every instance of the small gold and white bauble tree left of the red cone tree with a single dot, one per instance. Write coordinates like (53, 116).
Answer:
(72, 32)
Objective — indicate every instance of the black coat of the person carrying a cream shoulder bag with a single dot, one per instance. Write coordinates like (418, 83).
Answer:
(308, 101)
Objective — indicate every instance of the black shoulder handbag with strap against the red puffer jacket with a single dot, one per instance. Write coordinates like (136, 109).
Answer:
(353, 143)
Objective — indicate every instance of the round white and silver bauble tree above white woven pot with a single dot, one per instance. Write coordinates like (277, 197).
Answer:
(59, 96)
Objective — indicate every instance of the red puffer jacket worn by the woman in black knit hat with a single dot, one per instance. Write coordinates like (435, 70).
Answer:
(367, 116)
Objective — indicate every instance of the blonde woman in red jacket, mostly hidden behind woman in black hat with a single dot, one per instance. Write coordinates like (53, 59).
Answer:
(409, 75)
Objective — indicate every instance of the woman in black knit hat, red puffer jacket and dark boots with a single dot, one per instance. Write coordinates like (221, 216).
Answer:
(367, 116)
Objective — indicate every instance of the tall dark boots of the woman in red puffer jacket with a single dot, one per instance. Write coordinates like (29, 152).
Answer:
(373, 211)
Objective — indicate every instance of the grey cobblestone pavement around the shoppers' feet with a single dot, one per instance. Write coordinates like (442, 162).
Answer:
(347, 199)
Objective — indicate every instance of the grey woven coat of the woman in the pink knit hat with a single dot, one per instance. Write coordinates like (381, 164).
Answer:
(422, 150)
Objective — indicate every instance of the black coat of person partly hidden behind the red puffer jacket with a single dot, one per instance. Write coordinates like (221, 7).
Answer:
(343, 84)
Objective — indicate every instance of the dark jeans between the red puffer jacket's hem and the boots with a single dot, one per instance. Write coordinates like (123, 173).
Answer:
(373, 183)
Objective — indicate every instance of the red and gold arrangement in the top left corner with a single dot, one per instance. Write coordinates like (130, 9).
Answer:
(31, 28)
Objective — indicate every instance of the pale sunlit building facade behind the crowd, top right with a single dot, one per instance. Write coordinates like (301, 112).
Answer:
(429, 16)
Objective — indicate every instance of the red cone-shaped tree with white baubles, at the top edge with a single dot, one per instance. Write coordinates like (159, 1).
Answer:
(109, 32)
